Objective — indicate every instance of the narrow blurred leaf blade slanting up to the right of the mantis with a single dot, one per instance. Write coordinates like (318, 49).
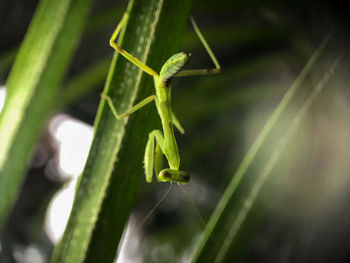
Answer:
(228, 214)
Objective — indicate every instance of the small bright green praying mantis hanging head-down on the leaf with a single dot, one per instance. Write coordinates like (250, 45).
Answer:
(159, 142)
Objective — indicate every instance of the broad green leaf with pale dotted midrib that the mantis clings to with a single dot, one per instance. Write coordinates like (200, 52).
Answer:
(114, 167)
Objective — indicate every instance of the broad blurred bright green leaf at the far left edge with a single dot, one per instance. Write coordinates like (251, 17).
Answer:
(31, 88)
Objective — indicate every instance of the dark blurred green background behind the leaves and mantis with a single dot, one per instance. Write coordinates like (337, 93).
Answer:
(299, 213)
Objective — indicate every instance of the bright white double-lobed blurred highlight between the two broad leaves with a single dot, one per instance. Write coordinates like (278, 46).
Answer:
(74, 139)
